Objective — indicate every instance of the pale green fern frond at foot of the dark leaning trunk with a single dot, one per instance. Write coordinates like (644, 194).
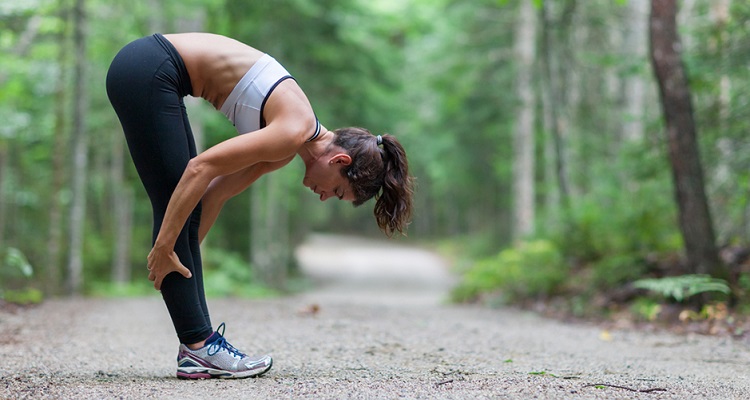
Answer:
(683, 287)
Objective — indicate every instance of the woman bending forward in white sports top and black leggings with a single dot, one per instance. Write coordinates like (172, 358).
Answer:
(146, 84)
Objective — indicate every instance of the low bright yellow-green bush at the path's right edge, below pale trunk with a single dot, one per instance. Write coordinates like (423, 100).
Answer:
(530, 269)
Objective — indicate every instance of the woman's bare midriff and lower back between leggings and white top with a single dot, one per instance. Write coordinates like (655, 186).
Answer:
(215, 63)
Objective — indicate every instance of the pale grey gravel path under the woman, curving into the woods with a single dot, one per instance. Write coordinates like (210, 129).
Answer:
(381, 331)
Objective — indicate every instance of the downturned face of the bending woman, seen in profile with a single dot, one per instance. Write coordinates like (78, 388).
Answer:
(325, 179)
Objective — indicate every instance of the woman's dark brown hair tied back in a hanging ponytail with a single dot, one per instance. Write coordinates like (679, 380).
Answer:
(380, 172)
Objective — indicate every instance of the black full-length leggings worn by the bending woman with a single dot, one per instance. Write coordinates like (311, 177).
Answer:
(146, 84)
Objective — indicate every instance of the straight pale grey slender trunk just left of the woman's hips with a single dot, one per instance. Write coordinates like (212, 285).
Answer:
(80, 154)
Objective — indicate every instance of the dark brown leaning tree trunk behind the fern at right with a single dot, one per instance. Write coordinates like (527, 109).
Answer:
(694, 217)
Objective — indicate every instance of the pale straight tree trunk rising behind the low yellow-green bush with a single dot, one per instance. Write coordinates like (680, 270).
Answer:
(523, 165)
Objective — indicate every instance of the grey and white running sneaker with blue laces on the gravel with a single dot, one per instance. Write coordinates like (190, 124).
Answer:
(219, 359)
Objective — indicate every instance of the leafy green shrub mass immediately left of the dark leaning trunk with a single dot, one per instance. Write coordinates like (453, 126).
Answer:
(612, 230)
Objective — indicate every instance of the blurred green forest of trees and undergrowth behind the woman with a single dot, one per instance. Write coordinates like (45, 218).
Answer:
(591, 151)
